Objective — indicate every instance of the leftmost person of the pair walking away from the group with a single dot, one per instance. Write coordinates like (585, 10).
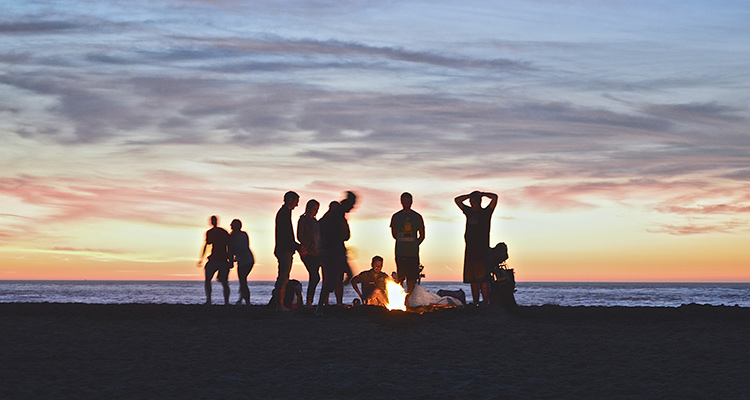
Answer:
(218, 261)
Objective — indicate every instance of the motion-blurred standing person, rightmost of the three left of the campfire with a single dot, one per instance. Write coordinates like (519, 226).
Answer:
(334, 231)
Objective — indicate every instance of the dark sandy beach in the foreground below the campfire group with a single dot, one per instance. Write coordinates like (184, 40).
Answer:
(61, 351)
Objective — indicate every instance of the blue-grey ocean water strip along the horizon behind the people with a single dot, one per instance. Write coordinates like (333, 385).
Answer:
(527, 293)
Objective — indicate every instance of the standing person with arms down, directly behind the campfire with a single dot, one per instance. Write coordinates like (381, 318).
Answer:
(407, 227)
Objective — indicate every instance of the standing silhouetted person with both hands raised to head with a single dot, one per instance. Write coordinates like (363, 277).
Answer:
(477, 238)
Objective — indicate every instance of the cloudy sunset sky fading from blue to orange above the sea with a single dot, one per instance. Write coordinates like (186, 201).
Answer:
(614, 132)
